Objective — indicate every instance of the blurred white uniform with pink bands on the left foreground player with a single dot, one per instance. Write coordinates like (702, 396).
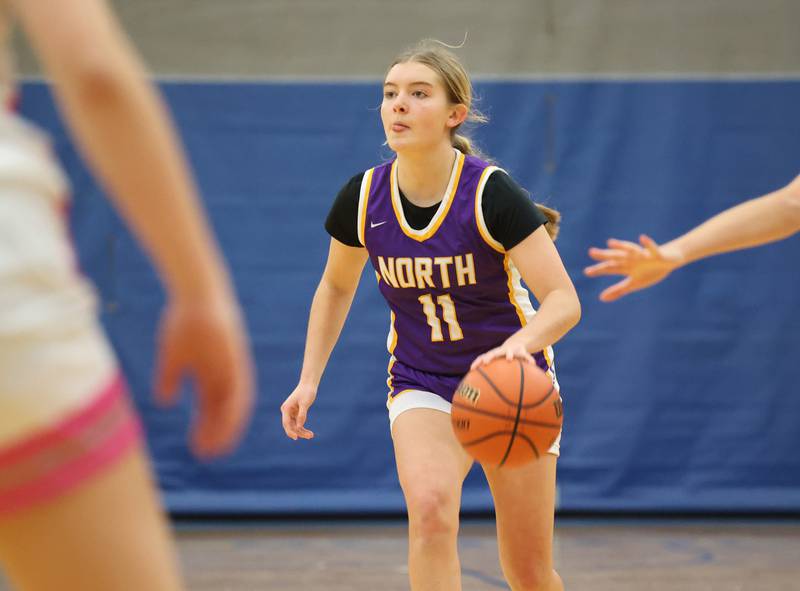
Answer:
(64, 411)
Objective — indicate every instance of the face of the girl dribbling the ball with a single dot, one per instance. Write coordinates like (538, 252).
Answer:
(416, 111)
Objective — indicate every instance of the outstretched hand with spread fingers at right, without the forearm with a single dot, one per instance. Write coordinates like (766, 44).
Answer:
(644, 264)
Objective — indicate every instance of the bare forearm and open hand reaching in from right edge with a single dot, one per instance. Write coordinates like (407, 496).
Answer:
(765, 219)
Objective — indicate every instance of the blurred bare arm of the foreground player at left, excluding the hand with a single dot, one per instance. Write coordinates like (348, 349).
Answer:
(125, 134)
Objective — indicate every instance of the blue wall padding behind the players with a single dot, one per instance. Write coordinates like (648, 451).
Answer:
(684, 398)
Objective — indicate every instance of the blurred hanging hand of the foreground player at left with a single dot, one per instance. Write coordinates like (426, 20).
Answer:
(207, 342)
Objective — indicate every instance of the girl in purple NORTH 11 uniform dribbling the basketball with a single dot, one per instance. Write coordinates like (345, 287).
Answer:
(449, 237)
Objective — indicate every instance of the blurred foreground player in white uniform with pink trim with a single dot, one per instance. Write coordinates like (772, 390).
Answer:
(79, 510)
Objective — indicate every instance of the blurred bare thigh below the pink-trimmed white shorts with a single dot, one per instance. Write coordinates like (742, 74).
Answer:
(106, 534)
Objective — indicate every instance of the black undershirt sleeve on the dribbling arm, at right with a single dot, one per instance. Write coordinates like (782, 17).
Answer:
(510, 213)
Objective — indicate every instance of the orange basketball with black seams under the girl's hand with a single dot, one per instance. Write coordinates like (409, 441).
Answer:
(506, 413)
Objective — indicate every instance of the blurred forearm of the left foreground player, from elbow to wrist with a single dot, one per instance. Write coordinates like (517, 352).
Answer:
(123, 129)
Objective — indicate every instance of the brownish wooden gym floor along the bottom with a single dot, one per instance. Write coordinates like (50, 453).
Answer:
(591, 555)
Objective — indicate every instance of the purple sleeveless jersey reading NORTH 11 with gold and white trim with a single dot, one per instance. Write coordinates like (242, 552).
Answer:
(452, 290)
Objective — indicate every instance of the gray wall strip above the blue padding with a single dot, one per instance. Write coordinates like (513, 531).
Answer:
(506, 38)
